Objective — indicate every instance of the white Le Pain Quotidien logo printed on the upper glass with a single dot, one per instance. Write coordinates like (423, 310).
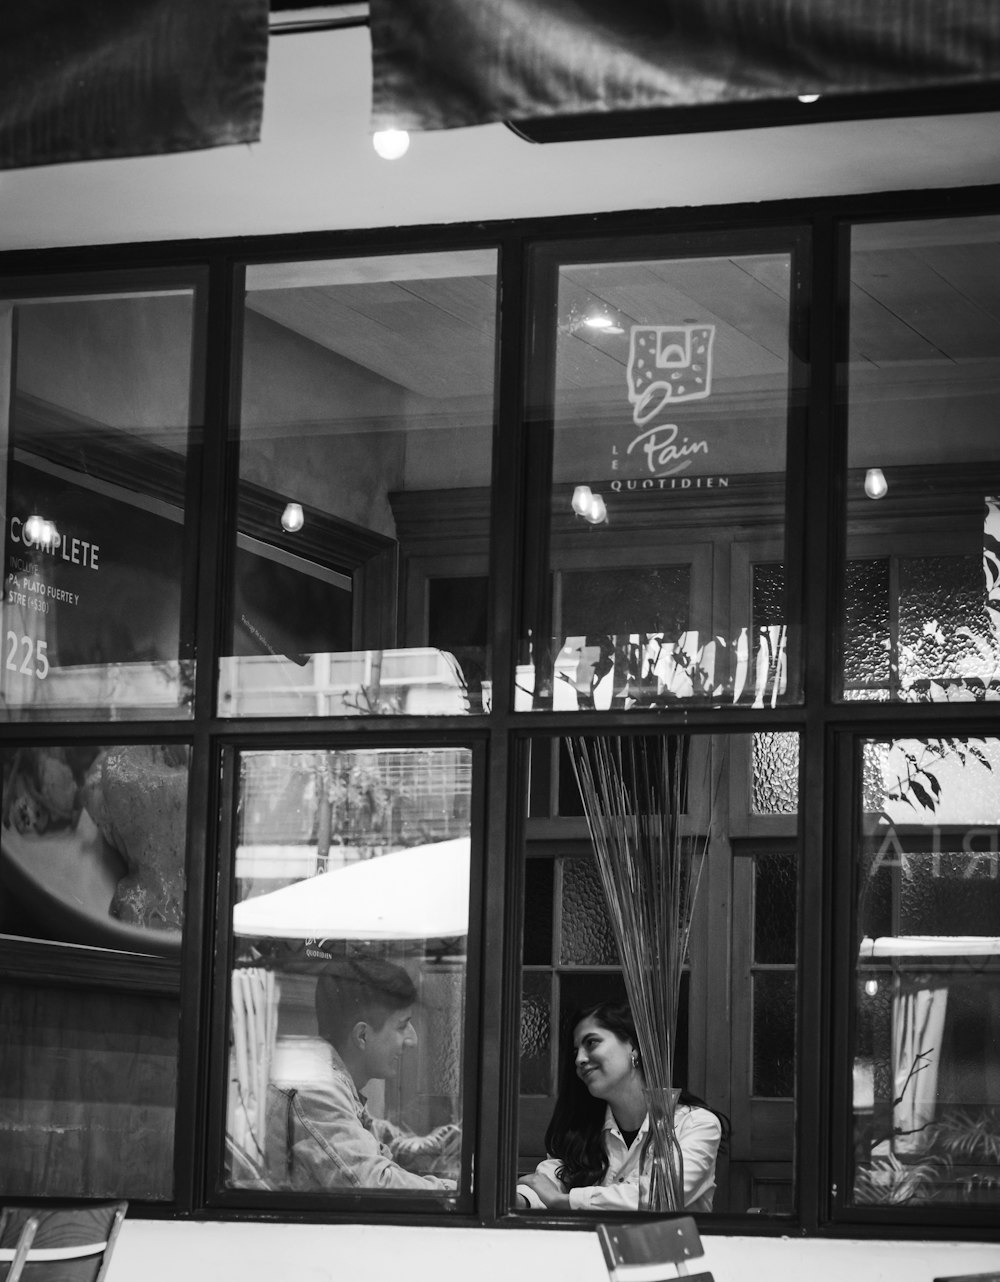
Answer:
(669, 365)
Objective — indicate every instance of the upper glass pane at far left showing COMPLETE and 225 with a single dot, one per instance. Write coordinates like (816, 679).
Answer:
(102, 408)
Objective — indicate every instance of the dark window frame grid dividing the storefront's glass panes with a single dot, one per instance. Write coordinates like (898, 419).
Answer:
(816, 470)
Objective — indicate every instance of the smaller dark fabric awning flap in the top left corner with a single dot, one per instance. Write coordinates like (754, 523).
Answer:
(103, 79)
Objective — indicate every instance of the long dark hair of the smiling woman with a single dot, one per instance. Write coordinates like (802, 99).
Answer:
(575, 1134)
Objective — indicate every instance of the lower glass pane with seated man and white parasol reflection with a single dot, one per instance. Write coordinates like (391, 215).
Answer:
(349, 979)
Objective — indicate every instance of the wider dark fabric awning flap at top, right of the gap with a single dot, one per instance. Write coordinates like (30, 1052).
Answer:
(446, 63)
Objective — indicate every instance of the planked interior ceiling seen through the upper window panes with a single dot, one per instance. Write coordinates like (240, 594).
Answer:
(931, 303)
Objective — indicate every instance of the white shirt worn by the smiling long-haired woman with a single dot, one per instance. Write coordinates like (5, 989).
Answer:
(626, 1181)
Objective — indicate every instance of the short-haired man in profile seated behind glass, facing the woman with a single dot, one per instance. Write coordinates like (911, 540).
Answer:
(322, 1136)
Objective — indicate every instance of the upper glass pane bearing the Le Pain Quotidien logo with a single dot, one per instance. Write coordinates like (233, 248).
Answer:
(670, 416)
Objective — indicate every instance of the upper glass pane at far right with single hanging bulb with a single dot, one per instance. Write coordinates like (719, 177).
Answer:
(922, 593)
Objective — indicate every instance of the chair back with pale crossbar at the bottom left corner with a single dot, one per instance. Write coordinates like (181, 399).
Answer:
(60, 1244)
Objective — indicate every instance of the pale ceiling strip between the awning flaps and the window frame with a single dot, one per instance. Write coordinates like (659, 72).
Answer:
(315, 167)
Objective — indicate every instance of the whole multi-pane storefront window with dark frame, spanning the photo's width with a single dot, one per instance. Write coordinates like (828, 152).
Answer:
(375, 812)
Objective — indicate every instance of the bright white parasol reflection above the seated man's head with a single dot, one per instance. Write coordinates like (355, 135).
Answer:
(416, 894)
